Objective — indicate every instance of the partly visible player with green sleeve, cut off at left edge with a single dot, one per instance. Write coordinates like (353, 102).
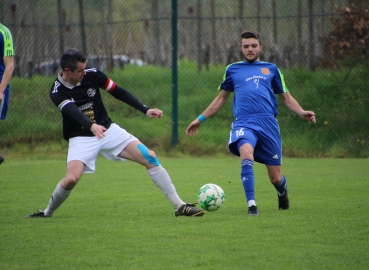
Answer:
(6, 70)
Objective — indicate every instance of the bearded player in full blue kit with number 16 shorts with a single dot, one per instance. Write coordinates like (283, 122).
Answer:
(255, 132)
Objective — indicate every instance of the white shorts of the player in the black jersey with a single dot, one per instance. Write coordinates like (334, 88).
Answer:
(86, 149)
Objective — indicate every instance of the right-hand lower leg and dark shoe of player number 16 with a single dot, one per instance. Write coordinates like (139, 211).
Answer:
(280, 183)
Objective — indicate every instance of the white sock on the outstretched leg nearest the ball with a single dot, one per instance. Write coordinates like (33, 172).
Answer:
(162, 180)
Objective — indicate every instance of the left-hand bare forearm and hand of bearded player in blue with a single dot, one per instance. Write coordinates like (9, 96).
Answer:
(212, 109)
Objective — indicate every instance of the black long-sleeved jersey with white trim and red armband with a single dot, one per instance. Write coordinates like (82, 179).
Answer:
(81, 105)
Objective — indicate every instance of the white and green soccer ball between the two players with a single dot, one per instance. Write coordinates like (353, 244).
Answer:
(211, 197)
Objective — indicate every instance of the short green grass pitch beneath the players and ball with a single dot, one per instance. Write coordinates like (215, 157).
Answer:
(117, 218)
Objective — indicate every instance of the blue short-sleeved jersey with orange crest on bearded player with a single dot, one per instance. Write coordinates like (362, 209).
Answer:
(254, 86)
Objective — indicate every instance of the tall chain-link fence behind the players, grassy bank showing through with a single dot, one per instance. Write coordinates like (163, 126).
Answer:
(132, 42)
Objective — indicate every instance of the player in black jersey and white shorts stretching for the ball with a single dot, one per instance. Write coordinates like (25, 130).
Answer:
(90, 132)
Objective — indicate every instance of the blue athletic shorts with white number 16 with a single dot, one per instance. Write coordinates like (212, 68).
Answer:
(262, 132)
